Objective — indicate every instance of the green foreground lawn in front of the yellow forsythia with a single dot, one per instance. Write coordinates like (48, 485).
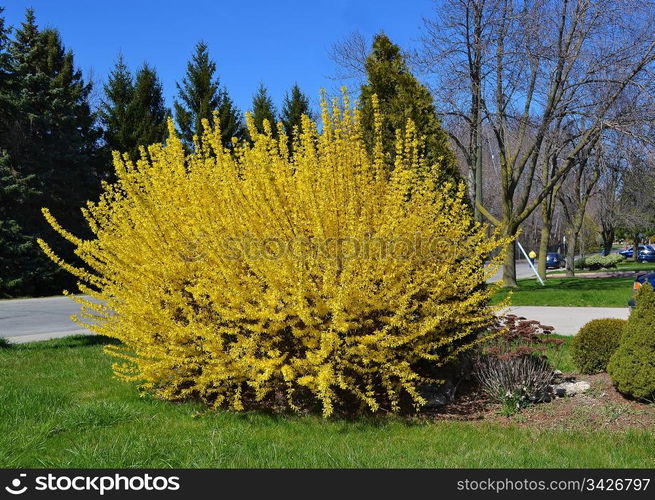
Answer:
(60, 407)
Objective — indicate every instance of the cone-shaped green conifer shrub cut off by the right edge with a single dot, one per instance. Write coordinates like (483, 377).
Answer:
(632, 366)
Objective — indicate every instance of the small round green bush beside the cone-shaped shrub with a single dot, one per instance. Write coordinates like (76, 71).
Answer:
(595, 343)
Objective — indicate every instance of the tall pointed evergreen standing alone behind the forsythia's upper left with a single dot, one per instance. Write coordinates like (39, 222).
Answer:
(199, 95)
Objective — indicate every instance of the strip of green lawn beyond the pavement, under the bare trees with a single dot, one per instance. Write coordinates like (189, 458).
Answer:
(583, 292)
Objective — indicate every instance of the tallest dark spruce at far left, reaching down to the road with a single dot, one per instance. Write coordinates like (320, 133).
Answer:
(50, 151)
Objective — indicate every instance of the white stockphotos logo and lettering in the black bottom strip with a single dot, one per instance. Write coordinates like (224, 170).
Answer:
(99, 484)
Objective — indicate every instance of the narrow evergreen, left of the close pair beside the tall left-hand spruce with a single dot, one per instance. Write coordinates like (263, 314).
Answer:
(114, 115)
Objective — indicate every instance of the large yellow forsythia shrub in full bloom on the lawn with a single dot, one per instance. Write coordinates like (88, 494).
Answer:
(249, 276)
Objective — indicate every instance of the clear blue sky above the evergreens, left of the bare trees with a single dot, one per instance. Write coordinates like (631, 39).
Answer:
(274, 42)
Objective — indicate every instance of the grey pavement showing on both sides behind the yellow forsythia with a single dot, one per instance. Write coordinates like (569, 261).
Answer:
(28, 320)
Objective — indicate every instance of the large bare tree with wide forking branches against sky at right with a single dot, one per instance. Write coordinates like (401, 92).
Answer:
(542, 61)
